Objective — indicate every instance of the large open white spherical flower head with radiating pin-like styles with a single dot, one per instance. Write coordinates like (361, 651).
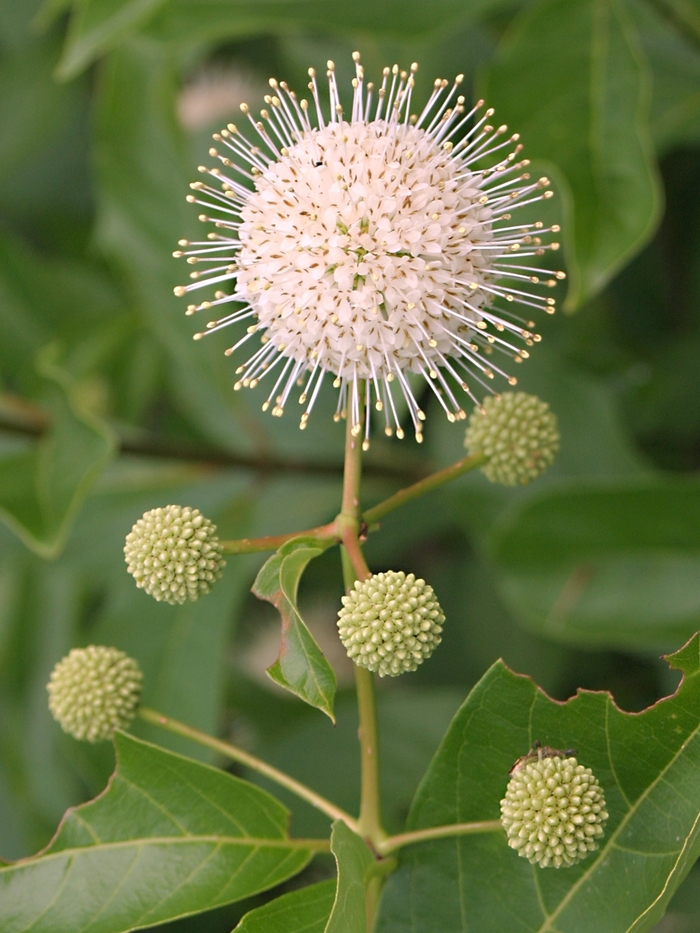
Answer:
(372, 245)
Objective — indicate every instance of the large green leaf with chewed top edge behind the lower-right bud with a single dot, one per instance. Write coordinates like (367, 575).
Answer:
(647, 764)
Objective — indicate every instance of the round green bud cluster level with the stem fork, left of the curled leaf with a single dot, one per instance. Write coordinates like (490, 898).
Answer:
(174, 554)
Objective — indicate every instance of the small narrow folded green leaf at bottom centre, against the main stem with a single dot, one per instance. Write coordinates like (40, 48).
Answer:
(356, 866)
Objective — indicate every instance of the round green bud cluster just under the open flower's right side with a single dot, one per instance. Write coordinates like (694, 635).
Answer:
(518, 433)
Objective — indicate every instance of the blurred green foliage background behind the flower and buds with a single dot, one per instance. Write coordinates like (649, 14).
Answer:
(108, 409)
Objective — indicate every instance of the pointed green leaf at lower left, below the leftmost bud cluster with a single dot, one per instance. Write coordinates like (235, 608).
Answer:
(169, 837)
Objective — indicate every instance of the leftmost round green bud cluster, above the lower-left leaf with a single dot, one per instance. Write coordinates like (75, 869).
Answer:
(94, 691)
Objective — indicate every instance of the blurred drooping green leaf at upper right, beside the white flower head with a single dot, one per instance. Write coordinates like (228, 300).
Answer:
(570, 79)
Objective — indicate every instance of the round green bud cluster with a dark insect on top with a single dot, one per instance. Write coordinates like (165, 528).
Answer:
(553, 811)
